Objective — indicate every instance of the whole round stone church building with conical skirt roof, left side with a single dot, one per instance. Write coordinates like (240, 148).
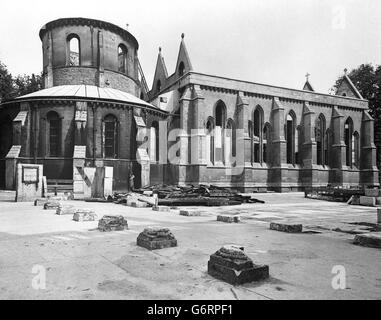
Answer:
(87, 116)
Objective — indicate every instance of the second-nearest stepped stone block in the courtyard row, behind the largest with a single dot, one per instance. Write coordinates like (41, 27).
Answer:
(153, 238)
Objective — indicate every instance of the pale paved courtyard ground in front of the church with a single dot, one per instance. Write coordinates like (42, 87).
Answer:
(83, 263)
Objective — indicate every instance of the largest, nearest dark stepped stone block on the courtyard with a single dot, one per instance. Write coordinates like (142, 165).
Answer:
(232, 265)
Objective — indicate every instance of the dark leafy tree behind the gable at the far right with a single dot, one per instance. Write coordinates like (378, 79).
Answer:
(367, 80)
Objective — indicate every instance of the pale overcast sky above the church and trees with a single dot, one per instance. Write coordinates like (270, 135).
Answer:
(265, 41)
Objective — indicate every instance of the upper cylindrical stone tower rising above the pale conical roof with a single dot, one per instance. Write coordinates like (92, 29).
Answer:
(91, 52)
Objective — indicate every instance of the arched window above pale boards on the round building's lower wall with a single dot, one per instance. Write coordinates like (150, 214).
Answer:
(110, 136)
